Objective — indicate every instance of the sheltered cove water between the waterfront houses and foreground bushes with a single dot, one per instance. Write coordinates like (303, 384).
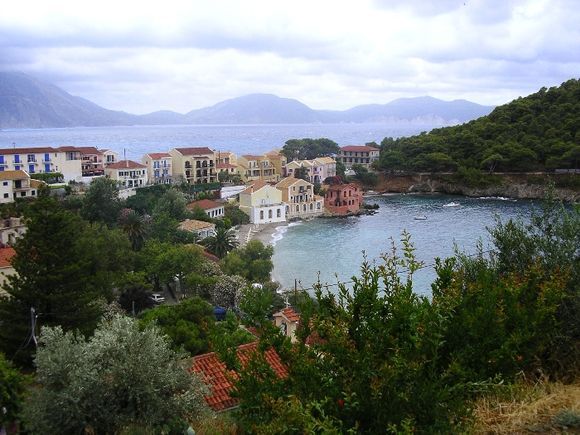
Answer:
(334, 248)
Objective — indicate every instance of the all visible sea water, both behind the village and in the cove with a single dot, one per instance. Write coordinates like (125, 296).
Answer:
(325, 250)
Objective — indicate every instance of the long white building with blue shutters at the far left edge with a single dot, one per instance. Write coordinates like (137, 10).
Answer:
(39, 160)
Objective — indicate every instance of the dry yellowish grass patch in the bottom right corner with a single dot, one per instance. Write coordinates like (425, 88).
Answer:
(541, 407)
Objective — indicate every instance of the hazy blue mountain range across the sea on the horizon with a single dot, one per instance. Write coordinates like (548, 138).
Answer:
(26, 102)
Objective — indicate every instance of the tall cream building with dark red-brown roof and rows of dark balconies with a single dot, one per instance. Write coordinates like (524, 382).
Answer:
(194, 165)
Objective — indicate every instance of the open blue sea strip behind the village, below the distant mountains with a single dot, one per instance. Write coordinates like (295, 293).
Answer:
(240, 139)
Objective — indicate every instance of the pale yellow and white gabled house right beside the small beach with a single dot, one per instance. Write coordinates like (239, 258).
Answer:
(263, 203)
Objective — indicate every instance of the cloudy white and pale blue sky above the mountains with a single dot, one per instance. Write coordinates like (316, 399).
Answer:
(142, 56)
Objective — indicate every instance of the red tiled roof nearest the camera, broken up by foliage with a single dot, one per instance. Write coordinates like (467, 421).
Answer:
(219, 379)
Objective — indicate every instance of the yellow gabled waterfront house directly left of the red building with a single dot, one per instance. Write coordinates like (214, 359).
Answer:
(301, 202)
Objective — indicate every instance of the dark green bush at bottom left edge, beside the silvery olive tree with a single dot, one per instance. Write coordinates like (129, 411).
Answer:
(12, 384)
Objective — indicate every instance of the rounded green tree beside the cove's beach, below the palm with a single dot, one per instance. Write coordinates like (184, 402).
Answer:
(253, 262)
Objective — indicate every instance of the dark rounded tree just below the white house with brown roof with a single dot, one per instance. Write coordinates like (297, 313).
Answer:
(101, 202)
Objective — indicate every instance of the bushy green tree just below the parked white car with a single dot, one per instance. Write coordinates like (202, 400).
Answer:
(187, 324)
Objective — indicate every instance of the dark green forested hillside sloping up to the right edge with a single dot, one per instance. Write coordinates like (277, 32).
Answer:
(535, 133)
